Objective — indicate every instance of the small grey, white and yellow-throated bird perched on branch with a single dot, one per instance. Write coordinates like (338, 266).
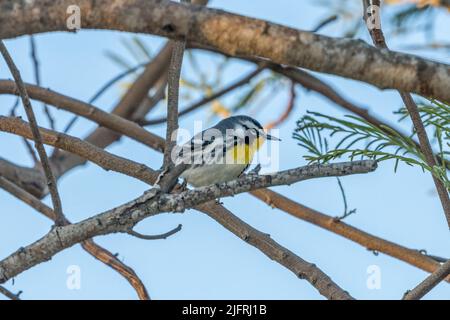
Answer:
(223, 152)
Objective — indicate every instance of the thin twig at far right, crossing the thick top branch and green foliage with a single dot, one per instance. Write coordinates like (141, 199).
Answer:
(380, 42)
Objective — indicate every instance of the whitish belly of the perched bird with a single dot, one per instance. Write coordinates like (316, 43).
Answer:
(213, 173)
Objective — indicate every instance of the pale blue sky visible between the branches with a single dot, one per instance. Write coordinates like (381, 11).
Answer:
(204, 261)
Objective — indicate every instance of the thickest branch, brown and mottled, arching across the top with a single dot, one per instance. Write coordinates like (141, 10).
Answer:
(234, 34)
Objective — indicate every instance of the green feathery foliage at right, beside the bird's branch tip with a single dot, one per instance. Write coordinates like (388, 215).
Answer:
(326, 138)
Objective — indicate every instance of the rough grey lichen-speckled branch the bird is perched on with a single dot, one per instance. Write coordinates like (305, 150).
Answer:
(122, 218)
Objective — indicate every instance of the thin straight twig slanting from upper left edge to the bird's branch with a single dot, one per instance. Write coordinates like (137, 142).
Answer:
(51, 181)
